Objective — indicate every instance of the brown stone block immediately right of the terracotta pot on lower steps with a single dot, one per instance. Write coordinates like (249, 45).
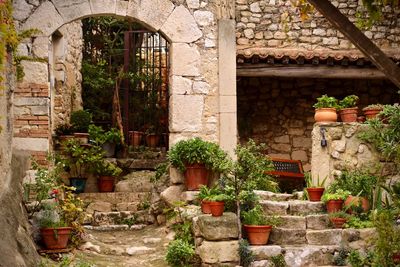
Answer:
(282, 236)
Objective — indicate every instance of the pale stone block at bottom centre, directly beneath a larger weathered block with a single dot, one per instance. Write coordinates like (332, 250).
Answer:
(219, 252)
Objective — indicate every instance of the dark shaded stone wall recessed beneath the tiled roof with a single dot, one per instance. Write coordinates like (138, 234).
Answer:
(279, 112)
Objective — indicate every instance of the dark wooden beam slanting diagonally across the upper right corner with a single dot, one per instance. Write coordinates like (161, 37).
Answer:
(356, 36)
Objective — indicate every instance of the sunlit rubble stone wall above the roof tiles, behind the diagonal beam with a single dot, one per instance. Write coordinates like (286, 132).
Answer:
(276, 23)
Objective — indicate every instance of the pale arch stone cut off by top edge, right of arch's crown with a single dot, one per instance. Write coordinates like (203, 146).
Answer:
(153, 13)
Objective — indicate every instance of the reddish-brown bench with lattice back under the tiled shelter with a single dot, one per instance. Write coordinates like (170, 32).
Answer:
(289, 173)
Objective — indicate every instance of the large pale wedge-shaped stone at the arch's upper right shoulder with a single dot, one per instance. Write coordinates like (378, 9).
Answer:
(181, 27)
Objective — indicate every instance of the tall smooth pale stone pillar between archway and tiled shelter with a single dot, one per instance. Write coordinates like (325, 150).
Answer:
(227, 85)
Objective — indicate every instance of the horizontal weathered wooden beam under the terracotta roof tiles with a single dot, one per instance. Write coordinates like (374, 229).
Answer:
(334, 72)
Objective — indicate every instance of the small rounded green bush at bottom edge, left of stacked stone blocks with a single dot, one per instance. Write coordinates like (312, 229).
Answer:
(179, 253)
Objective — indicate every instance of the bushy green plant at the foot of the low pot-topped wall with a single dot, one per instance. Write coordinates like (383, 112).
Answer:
(358, 182)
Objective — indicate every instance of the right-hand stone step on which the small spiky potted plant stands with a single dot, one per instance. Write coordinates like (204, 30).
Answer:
(292, 207)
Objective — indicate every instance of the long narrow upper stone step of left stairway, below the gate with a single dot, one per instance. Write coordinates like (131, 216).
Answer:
(114, 197)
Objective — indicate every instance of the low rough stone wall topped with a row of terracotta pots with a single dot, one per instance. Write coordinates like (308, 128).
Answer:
(344, 150)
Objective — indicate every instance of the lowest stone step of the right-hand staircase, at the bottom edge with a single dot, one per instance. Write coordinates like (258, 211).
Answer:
(296, 256)
